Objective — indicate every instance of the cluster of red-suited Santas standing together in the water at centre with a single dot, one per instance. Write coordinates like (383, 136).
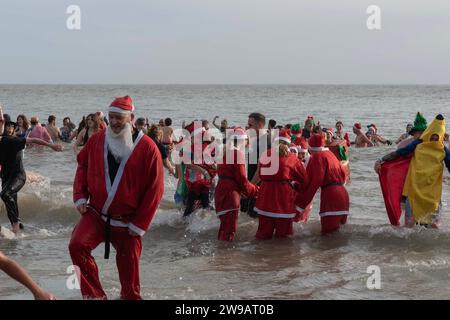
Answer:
(282, 197)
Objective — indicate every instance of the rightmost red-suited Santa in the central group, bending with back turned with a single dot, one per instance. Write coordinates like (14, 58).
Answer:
(325, 172)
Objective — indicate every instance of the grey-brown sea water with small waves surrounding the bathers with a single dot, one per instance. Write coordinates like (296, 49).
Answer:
(182, 259)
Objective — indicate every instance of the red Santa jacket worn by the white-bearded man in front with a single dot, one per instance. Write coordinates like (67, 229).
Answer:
(138, 187)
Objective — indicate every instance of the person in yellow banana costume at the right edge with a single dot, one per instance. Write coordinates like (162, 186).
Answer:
(423, 184)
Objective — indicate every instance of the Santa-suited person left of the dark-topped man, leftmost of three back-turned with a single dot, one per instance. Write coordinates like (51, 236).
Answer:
(232, 182)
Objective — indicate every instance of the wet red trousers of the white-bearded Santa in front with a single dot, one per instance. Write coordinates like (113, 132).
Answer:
(86, 236)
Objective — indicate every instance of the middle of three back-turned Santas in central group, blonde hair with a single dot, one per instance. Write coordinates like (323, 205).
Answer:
(275, 204)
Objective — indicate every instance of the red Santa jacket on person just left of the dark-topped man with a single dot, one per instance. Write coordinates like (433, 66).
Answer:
(232, 182)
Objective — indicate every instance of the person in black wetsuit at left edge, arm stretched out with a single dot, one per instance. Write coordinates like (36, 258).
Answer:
(12, 172)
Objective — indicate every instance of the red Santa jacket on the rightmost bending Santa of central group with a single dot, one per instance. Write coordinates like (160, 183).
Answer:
(326, 172)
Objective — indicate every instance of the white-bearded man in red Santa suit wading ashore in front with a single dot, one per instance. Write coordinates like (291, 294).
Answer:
(117, 189)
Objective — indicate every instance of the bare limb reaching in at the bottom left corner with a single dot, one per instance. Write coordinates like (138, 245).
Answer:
(15, 271)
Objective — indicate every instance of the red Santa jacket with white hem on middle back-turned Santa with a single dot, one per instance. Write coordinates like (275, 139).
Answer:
(276, 195)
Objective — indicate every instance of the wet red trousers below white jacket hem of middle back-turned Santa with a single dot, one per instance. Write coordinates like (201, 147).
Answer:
(268, 225)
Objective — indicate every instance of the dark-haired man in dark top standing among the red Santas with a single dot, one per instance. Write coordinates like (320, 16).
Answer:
(255, 130)
